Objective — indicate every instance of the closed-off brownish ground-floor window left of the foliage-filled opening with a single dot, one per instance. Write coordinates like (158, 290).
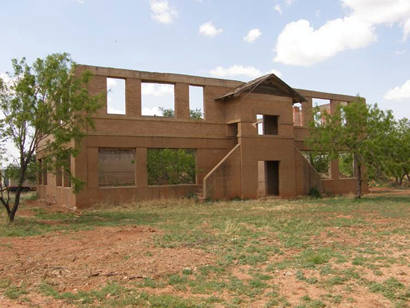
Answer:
(116, 167)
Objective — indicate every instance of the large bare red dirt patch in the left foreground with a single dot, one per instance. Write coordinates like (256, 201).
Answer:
(84, 260)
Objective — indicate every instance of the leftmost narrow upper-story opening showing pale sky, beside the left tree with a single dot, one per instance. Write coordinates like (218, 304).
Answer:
(116, 96)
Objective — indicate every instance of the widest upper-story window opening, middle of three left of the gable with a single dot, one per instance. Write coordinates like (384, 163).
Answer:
(157, 99)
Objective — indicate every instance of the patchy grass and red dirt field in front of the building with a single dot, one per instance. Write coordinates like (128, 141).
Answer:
(274, 253)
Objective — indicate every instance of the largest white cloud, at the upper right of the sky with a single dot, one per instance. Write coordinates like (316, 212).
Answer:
(300, 44)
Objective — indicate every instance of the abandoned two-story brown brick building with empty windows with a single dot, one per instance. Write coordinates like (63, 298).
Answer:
(248, 143)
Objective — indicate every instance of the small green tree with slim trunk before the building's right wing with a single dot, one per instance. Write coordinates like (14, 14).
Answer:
(354, 128)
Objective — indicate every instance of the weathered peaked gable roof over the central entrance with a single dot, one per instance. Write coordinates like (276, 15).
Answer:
(268, 84)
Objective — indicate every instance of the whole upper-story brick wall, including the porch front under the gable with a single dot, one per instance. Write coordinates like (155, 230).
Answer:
(293, 120)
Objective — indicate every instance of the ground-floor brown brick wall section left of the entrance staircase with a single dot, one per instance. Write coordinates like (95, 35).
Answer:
(208, 152)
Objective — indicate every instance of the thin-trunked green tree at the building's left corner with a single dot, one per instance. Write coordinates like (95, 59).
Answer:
(46, 108)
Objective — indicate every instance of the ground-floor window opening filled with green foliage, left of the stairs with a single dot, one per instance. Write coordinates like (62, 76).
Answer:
(171, 166)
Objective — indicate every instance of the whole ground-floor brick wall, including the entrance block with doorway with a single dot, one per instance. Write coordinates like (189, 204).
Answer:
(240, 176)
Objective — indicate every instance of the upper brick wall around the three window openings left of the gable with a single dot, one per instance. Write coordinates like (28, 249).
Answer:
(212, 88)
